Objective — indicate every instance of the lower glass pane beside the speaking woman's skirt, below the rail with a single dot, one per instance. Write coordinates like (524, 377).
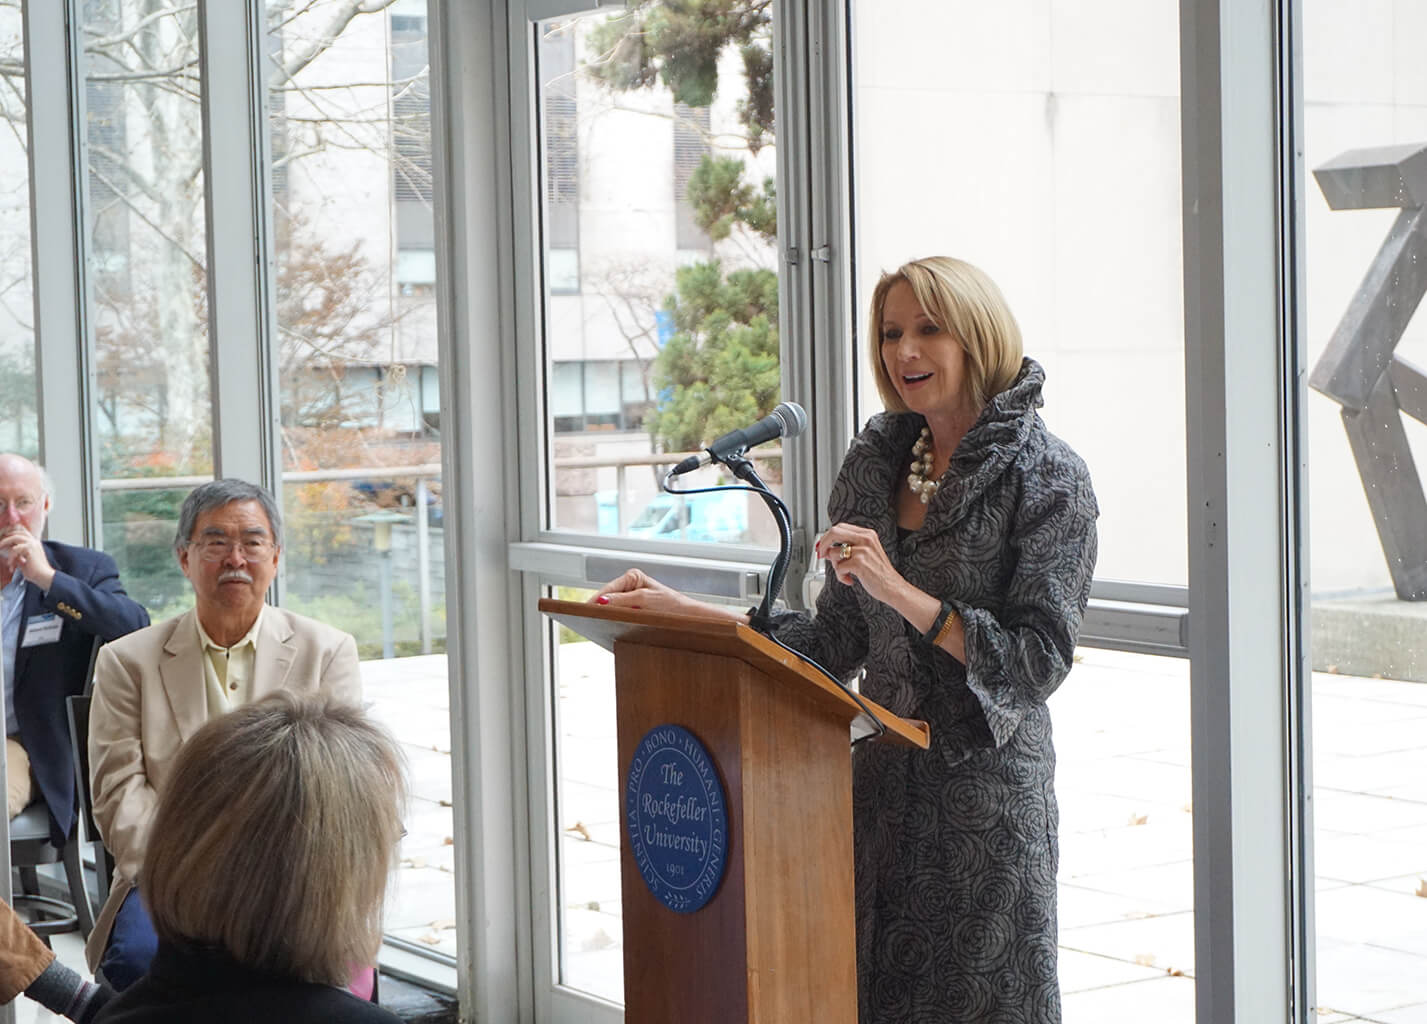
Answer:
(1127, 894)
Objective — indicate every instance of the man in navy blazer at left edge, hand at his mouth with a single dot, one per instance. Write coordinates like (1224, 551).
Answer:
(55, 601)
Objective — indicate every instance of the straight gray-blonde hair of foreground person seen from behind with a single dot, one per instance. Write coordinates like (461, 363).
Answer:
(276, 836)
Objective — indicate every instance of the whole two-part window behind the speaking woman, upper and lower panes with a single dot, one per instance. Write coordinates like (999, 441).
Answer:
(1048, 155)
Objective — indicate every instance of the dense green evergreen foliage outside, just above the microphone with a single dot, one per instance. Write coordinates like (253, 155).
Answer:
(720, 370)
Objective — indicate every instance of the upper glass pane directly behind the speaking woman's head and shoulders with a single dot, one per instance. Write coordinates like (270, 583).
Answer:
(1055, 168)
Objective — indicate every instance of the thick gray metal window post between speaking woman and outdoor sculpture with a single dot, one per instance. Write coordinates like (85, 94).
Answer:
(1245, 548)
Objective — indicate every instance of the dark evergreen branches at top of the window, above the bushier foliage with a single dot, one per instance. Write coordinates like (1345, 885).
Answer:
(679, 43)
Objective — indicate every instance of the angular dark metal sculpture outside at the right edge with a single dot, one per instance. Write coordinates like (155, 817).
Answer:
(1361, 370)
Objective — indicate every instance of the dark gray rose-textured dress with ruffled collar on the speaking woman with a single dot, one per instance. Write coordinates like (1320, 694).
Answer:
(957, 846)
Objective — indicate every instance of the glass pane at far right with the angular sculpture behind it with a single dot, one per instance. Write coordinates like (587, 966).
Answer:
(1365, 139)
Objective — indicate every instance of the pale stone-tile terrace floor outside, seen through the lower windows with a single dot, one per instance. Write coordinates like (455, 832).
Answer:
(1124, 784)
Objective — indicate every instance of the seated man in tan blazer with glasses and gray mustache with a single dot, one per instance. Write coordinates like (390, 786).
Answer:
(158, 687)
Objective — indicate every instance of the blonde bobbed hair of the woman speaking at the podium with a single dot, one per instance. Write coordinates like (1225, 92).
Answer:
(963, 300)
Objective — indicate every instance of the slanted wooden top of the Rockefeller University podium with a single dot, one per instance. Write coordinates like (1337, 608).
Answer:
(718, 637)
